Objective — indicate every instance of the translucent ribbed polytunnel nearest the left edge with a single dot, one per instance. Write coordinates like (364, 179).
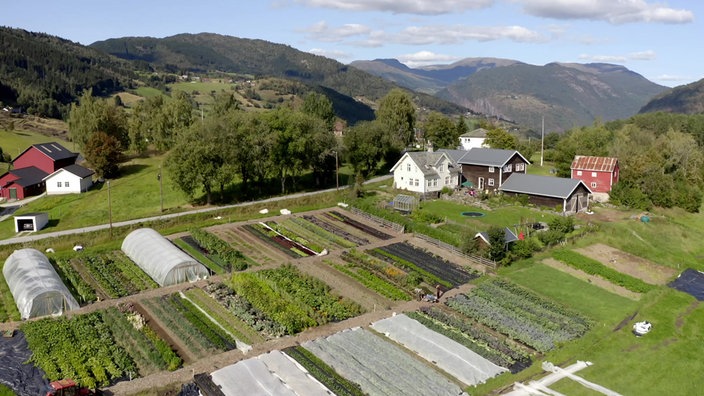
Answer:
(35, 285)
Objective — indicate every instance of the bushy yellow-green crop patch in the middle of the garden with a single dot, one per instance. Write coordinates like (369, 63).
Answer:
(294, 300)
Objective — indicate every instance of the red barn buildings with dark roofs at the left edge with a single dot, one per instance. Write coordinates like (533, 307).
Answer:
(26, 179)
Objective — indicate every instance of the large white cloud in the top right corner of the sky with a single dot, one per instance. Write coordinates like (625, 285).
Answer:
(612, 11)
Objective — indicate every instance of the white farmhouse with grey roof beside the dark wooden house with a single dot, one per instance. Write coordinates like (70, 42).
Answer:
(425, 172)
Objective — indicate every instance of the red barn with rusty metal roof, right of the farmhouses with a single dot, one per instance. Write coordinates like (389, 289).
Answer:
(598, 173)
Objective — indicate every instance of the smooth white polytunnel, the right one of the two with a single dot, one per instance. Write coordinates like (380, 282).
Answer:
(160, 259)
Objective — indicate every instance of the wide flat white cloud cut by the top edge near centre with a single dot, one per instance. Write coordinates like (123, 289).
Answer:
(420, 7)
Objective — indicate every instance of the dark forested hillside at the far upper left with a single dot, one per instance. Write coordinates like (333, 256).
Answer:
(44, 74)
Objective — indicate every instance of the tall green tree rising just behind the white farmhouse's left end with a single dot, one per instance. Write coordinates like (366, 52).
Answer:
(397, 113)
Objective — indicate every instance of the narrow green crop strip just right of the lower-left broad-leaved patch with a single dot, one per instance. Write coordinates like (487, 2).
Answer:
(147, 349)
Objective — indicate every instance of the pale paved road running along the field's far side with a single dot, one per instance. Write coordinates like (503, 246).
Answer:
(30, 238)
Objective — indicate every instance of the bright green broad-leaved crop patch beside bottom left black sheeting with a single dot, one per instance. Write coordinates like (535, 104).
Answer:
(82, 348)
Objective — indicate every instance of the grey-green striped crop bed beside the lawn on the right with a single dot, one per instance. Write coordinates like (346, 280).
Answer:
(516, 317)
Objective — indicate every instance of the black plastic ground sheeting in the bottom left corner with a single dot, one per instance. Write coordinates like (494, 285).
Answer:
(24, 378)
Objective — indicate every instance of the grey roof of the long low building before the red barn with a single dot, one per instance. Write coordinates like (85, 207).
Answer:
(547, 186)
